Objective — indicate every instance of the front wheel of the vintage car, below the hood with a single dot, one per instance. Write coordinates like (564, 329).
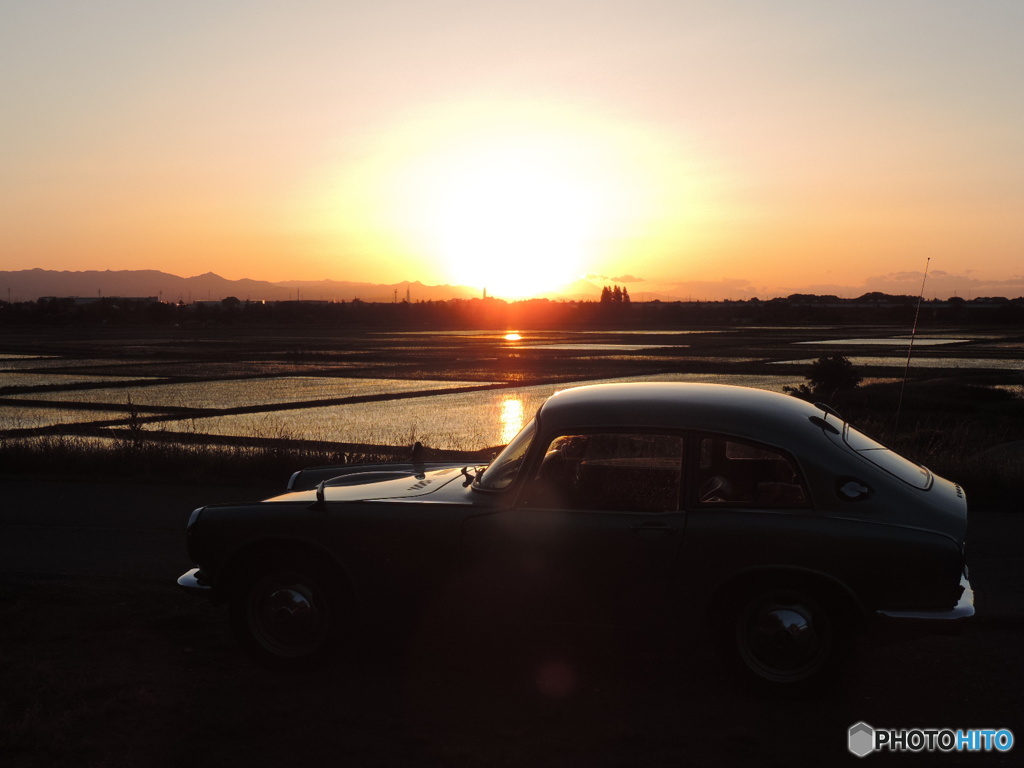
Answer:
(288, 616)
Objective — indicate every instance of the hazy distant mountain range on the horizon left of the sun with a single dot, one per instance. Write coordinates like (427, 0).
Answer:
(30, 285)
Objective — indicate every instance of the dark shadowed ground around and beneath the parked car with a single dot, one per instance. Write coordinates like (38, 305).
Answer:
(105, 663)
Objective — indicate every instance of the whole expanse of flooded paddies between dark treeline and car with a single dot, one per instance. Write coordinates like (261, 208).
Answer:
(450, 390)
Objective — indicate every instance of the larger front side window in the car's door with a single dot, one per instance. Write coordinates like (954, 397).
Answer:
(610, 472)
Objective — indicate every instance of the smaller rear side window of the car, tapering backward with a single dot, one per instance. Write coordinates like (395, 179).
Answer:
(733, 473)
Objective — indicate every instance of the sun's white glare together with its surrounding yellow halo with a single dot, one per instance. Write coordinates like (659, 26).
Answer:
(520, 200)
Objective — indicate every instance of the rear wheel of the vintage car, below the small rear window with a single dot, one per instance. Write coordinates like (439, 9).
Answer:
(788, 636)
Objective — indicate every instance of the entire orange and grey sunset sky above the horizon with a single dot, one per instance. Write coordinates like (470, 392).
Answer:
(710, 150)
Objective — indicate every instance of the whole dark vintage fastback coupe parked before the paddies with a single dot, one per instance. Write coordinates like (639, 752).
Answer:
(671, 505)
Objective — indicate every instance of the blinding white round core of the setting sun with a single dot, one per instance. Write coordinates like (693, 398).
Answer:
(513, 221)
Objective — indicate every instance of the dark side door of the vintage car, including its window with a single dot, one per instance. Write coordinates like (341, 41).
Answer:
(591, 537)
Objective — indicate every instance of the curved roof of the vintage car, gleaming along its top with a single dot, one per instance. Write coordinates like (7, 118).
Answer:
(756, 414)
